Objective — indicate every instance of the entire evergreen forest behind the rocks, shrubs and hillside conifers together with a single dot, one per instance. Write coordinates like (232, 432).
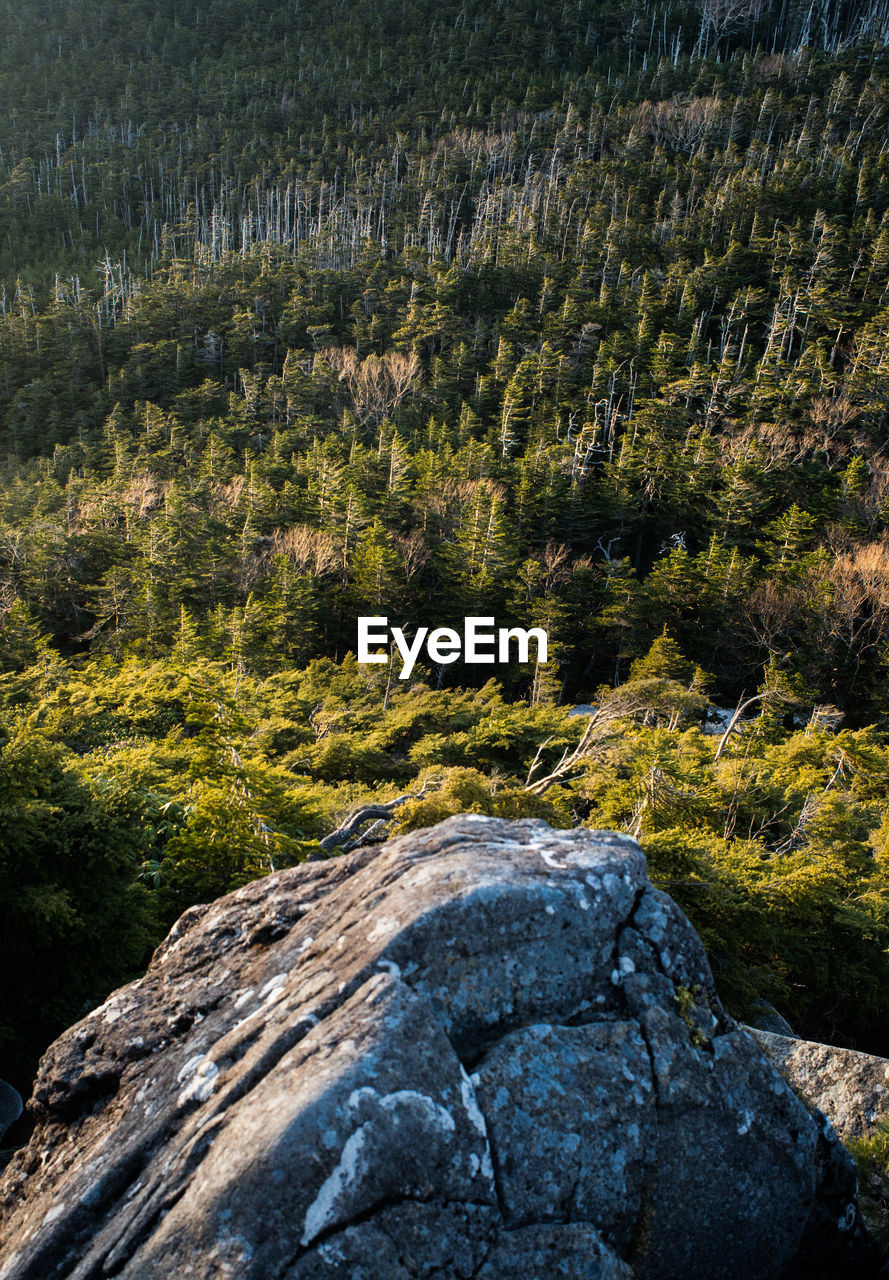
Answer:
(574, 314)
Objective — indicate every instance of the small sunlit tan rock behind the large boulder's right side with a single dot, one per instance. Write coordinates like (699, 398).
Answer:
(850, 1087)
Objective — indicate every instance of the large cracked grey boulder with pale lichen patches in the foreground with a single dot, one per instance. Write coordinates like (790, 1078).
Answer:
(488, 1050)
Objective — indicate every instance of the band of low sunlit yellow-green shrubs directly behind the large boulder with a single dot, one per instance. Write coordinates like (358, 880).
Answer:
(776, 851)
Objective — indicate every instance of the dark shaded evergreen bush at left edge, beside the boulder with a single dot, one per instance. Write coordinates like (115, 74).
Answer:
(76, 920)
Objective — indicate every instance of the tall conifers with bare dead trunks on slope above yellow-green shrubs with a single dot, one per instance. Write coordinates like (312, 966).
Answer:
(336, 360)
